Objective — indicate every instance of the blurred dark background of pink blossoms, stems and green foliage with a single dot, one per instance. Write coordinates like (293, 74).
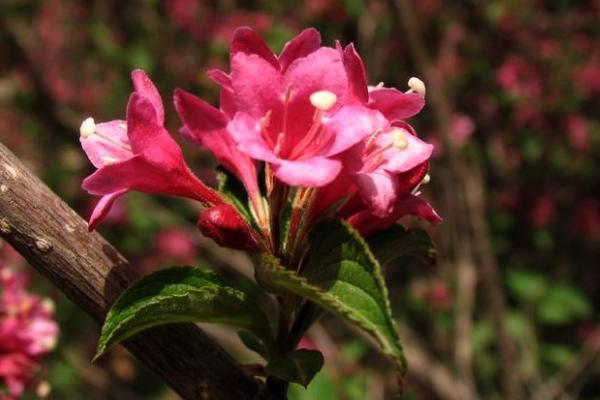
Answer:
(509, 311)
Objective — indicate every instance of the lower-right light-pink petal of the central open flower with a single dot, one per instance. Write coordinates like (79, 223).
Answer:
(350, 125)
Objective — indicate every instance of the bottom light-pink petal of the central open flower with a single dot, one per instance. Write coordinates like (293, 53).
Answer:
(316, 171)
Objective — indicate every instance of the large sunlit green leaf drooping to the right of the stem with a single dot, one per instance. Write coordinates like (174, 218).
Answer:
(343, 277)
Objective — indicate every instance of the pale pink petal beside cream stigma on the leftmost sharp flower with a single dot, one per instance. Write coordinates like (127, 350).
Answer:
(111, 143)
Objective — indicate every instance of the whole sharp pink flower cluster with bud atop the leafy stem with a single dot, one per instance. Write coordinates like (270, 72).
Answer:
(301, 130)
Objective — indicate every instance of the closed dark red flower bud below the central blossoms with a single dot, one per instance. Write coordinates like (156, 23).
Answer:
(227, 227)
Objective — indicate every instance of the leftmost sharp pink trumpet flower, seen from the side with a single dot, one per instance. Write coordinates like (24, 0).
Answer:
(138, 154)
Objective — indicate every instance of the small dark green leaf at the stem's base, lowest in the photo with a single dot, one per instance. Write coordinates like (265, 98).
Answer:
(299, 366)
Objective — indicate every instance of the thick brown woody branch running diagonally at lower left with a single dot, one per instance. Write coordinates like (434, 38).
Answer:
(55, 241)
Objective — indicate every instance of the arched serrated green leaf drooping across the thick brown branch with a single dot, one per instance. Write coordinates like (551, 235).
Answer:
(180, 294)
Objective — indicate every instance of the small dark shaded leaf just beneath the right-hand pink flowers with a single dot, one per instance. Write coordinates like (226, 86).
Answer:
(398, 242)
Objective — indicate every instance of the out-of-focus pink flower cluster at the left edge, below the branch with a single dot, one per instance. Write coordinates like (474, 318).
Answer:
(27, 332)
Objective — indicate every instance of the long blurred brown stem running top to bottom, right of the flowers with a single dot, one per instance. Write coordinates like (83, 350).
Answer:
(469, 182)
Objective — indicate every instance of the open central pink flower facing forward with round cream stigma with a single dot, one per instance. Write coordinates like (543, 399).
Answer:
(288, 110)
